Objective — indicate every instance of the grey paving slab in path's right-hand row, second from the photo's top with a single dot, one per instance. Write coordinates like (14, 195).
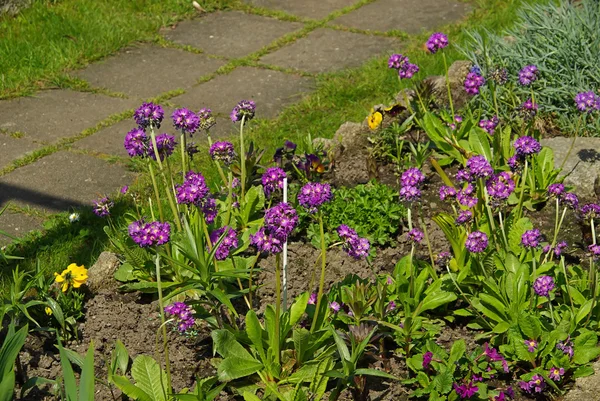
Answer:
(325, 50)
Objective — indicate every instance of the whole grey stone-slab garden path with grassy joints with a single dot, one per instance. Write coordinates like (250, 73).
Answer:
(60, 149)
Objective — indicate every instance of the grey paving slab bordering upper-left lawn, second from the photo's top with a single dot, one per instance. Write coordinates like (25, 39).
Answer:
(230, 33)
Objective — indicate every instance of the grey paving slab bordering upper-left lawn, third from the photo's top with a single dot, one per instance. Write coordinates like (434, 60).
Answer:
(148, 71)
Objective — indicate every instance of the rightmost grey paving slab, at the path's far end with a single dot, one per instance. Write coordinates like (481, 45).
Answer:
(411, 16)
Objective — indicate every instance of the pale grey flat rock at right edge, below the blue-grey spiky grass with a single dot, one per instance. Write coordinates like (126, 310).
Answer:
(582, 167)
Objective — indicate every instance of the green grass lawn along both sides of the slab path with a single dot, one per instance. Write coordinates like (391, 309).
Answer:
(340, 97)
